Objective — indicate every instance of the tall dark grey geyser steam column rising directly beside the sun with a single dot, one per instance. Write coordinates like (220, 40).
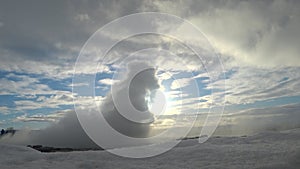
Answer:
(126, 107)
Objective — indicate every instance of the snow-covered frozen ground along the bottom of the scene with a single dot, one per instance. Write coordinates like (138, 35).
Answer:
(273, 150)
